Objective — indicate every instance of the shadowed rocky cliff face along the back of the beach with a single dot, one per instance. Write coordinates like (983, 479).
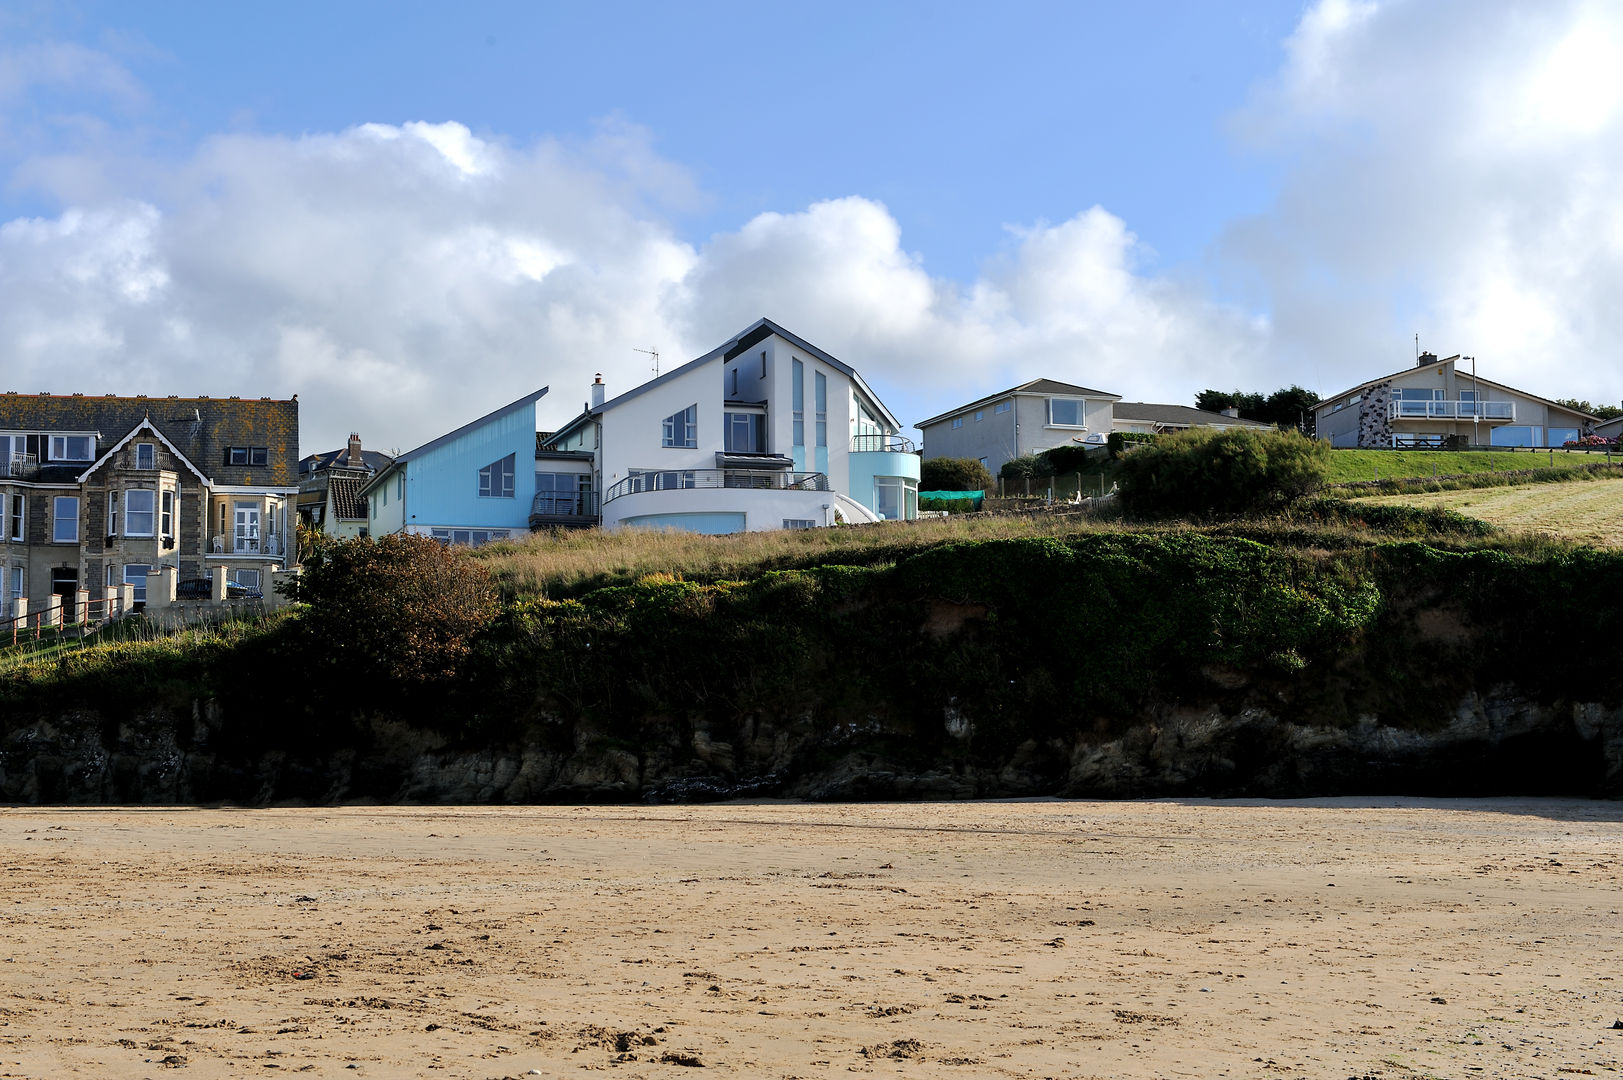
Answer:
(1492, 745)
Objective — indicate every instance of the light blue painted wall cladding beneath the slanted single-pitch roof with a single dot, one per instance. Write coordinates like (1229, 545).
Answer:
(442, 486)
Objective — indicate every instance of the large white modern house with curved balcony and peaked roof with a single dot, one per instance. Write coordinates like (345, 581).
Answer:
(764, 433)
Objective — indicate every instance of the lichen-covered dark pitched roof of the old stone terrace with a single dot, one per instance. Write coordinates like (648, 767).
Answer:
(204, 430)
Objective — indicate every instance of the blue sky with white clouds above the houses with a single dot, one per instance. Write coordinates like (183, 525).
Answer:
(411, 215)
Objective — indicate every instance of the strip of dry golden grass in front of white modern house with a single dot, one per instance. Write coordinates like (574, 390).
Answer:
(567, 563)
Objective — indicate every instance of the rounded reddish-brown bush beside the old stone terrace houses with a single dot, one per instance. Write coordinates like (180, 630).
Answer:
(405, 608)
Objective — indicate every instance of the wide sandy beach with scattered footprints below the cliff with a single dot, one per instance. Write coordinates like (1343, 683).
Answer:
(994, 940)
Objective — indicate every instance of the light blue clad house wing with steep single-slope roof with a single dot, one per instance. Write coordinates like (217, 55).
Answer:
(470, 486)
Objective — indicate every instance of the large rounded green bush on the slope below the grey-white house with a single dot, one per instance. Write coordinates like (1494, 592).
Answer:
(1216, 473)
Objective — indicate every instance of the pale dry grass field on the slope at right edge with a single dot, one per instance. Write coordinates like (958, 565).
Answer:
(1588, 514)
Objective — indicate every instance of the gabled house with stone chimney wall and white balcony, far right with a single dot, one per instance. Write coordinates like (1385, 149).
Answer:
(1434, 405)
